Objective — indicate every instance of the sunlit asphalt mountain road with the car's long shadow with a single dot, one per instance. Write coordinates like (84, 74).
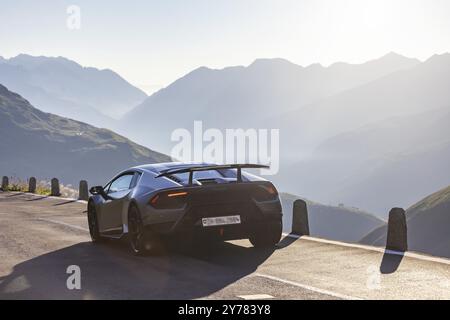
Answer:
(41, 237)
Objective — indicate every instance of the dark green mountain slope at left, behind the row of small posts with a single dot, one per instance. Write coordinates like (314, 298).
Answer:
(34, 143)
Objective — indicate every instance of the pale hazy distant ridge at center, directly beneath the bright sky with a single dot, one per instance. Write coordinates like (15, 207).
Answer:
(245, 96)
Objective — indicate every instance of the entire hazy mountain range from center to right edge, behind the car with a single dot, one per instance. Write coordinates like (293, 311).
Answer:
(347, 132)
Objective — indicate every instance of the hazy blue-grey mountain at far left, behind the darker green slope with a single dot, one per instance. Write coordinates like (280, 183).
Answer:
(63, 87)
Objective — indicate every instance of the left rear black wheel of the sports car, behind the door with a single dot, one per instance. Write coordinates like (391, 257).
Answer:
(141, 241)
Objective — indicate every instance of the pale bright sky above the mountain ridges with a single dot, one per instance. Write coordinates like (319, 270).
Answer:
(153, 43)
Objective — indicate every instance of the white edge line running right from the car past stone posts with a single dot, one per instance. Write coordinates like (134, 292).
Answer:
(370, 248)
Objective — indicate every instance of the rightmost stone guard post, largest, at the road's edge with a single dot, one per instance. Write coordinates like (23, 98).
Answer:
(397, 237)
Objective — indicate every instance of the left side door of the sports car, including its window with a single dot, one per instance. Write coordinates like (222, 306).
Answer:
(111, 213)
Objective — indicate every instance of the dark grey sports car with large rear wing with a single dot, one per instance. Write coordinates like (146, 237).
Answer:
(190, 201)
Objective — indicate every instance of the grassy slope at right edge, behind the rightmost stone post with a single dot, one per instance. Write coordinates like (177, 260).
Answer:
(428, 222)
